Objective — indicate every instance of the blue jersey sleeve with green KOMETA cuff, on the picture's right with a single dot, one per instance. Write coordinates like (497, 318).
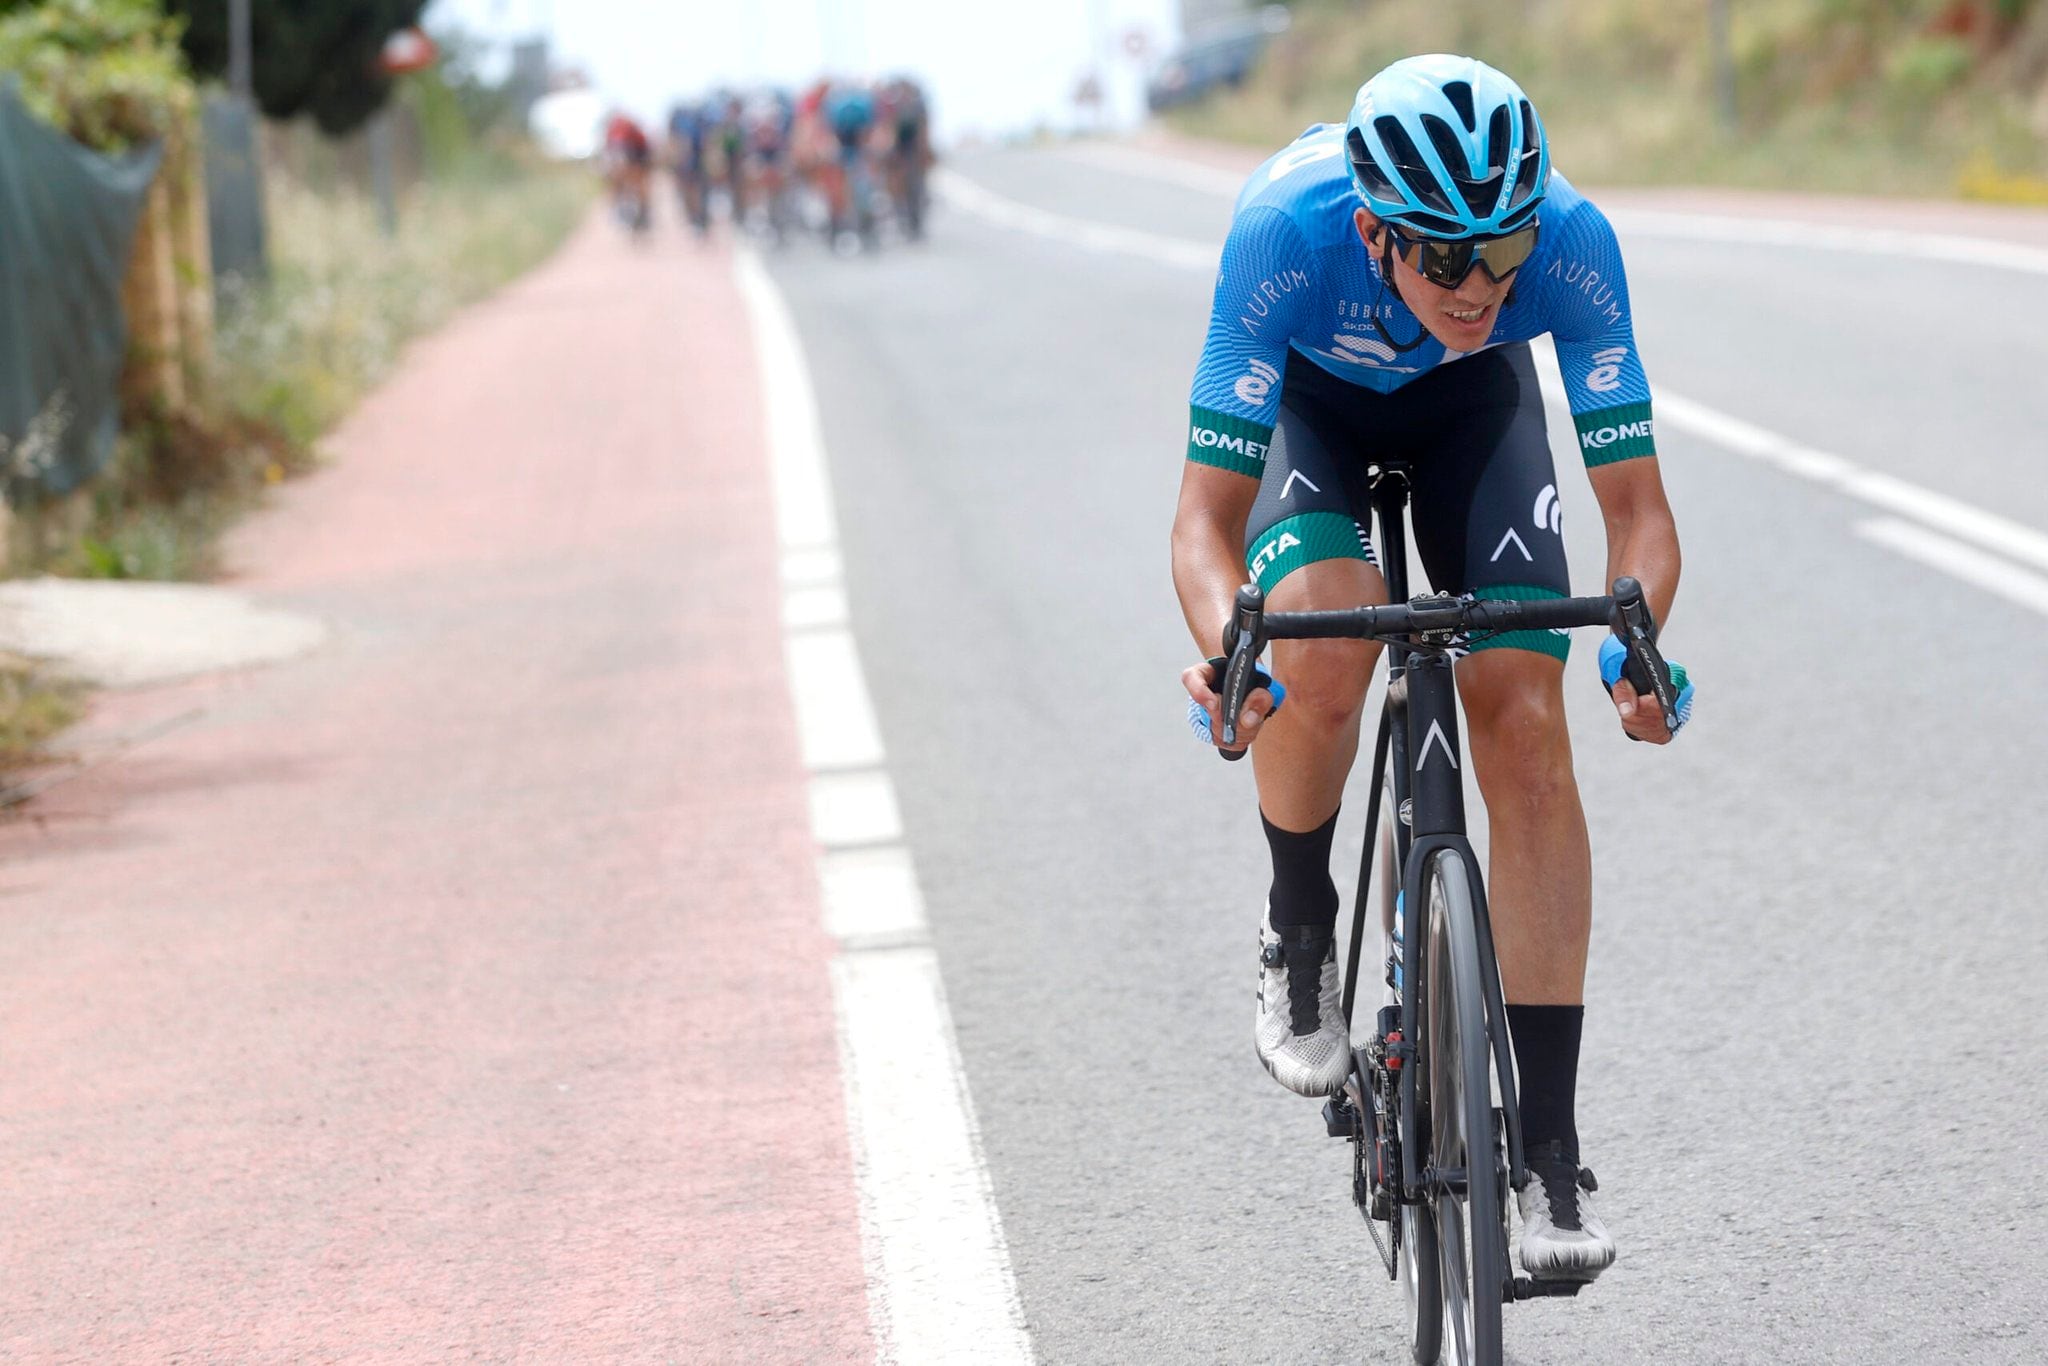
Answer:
(1596, 343)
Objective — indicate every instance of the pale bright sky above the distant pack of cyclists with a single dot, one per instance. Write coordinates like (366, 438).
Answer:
(992, 67)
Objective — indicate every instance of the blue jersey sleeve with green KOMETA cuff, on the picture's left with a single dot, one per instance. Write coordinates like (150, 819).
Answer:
(1261, 292)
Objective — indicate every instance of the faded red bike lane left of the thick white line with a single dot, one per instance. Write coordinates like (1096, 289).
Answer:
(458, 990)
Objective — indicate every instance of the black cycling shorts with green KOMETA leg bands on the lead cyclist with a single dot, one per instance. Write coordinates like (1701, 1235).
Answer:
(1484, 495)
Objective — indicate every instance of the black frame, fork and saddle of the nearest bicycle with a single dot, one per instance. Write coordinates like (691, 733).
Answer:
(1420, 736)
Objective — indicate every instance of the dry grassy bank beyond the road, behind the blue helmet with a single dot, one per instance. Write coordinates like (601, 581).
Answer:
(1897, 97)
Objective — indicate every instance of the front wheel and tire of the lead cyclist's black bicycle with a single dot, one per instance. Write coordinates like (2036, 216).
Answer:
(1459, 1066)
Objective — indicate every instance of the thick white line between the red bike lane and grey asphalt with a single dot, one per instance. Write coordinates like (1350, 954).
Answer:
(939, 1271)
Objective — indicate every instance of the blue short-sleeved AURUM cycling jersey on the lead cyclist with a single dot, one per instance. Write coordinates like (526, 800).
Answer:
(1299, 284)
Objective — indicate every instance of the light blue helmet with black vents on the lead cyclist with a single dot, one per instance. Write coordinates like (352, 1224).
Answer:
(1449, 148)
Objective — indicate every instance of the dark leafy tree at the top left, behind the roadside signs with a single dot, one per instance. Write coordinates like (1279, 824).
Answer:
(312, 56)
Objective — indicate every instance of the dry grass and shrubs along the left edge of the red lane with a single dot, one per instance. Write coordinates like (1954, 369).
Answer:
(292, 353)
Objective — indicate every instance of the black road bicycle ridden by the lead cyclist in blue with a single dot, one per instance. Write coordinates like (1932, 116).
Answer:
(1431, 1103)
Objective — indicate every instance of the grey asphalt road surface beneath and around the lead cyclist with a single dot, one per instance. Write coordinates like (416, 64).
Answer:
(1816, 1015)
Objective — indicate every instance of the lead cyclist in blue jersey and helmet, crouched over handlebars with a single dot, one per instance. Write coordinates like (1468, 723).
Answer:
(1379, 290)
